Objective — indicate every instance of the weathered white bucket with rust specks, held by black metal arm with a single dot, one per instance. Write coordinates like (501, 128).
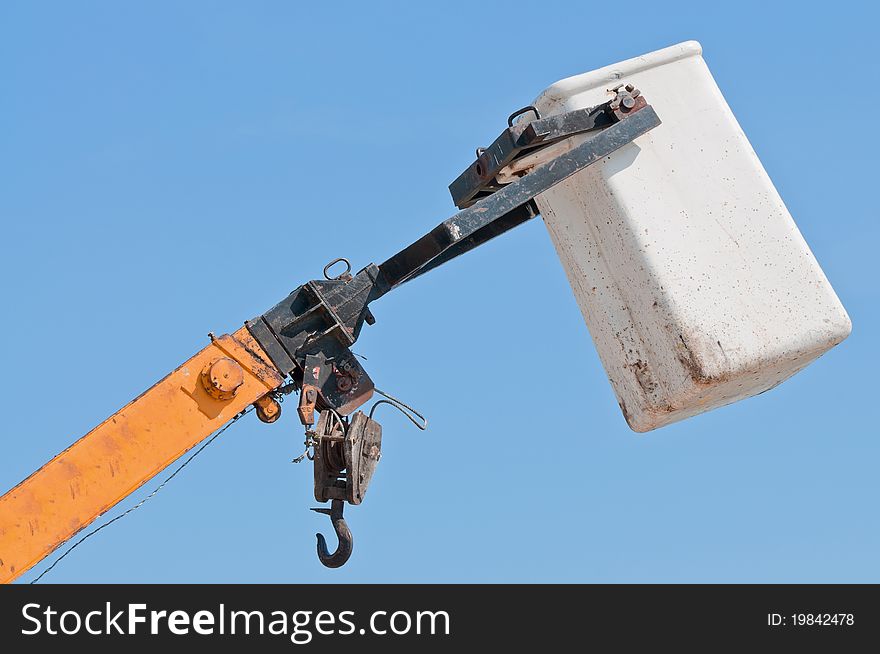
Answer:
(695, 283)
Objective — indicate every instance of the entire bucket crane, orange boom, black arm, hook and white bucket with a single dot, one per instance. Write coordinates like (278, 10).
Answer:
(665, 234)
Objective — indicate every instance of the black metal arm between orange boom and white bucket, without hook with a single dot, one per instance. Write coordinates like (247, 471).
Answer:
(309, 333)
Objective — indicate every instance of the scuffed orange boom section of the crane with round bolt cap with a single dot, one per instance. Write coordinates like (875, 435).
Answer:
(130, 447)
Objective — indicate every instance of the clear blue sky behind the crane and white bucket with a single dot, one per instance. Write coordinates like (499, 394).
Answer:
(139, 140)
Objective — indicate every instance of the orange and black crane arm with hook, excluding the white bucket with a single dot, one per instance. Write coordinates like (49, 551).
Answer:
(300, 345)
